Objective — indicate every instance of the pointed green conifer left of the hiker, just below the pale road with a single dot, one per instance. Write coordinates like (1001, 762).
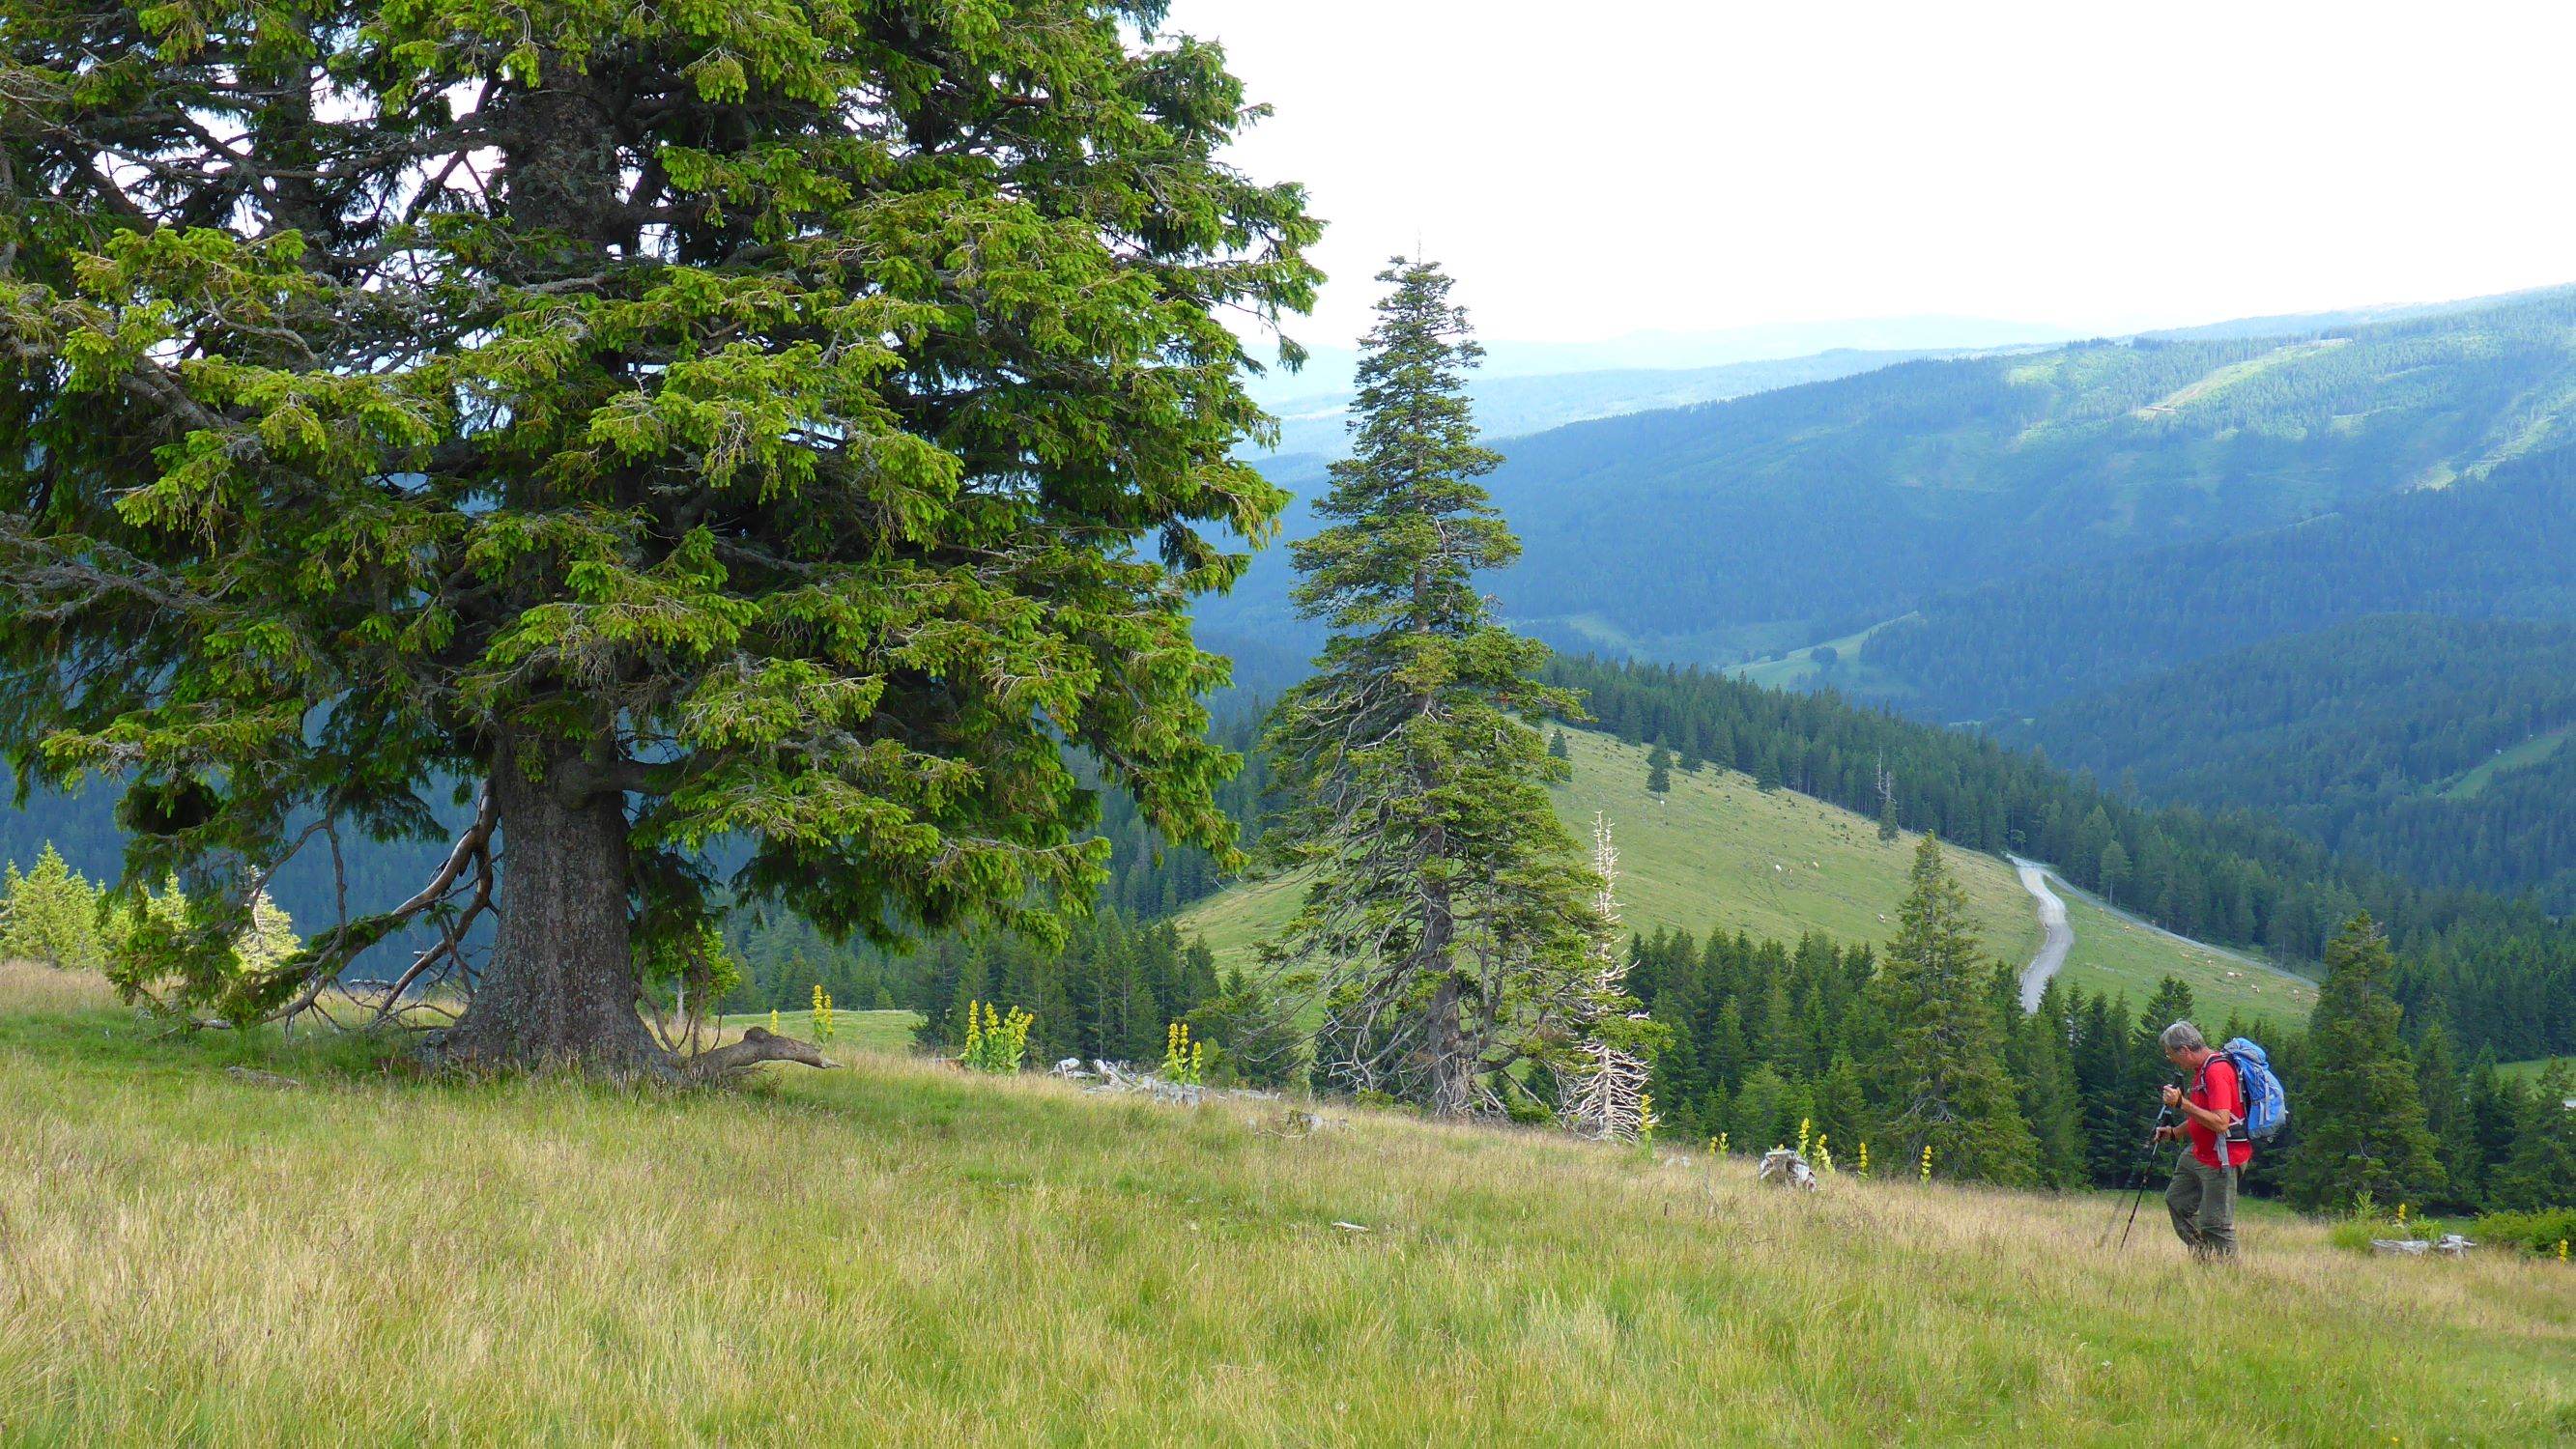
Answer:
(1944, 1069)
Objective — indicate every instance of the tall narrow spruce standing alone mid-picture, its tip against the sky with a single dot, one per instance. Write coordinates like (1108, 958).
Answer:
(1446, 915)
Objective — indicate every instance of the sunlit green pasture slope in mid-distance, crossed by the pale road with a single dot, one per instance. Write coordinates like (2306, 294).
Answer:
(1719, 853)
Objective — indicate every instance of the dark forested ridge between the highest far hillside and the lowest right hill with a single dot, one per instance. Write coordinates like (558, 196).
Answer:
(2503, 547)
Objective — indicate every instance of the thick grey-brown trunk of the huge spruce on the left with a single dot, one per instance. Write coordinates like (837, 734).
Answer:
(560, 990)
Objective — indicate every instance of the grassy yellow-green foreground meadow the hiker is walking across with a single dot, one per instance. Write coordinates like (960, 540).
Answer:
(908, 1255)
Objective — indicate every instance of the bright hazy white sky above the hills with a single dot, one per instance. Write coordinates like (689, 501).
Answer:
(1614, 166)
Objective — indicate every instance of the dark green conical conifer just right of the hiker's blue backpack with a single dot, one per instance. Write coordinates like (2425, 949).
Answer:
(2361, 1113)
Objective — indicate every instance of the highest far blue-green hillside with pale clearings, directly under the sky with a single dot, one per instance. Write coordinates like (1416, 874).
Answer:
(1804, 513)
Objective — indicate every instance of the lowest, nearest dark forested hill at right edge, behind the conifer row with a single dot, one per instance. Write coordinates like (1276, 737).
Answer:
(2420, 745)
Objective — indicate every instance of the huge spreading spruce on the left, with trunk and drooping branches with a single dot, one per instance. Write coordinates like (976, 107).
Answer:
(777, 426)
